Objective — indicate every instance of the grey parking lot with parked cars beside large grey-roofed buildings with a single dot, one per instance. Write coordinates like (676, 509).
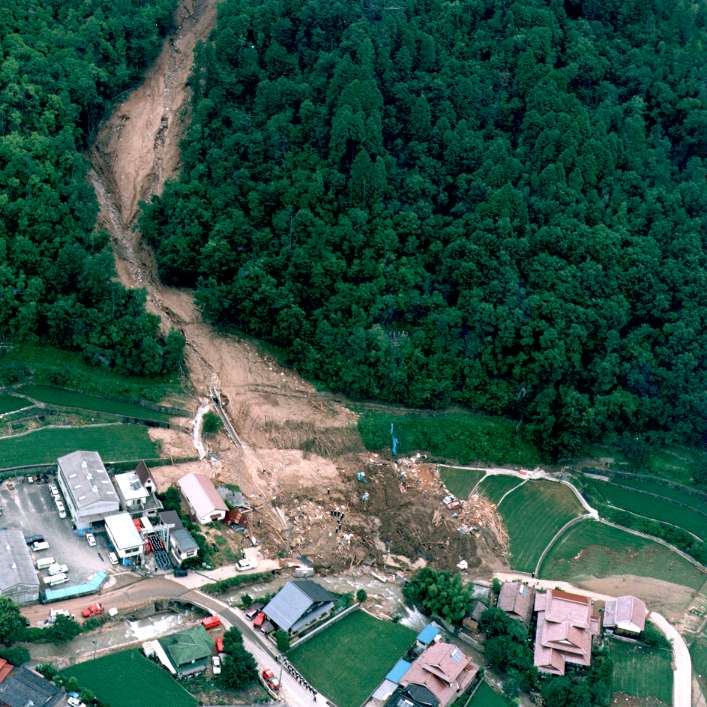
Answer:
(31, 508)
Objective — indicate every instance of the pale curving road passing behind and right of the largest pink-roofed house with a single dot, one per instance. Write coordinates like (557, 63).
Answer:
(682, 664)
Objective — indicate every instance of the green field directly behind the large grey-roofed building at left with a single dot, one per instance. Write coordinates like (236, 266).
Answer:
(113, 442)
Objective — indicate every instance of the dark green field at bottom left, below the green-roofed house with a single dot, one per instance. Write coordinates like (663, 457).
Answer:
(128, 679)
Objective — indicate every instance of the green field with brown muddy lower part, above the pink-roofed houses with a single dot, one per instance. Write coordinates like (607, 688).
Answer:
(592, 549)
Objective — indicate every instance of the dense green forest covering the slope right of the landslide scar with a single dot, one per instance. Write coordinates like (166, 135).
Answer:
(492, 203)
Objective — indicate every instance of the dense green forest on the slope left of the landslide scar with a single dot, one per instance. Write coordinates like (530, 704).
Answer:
(61, 63)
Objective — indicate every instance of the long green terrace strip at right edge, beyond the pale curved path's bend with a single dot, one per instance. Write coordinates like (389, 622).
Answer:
(631, 499)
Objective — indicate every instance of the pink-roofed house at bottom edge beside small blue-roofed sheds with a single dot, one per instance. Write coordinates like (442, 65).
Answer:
(444, 670)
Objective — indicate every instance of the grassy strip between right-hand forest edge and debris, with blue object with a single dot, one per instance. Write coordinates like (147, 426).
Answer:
(463, 437)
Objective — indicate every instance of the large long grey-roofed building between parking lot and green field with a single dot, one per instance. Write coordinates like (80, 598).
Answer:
(87, 488)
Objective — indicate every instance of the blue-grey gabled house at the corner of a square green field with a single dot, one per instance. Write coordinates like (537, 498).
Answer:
(298, 605)
